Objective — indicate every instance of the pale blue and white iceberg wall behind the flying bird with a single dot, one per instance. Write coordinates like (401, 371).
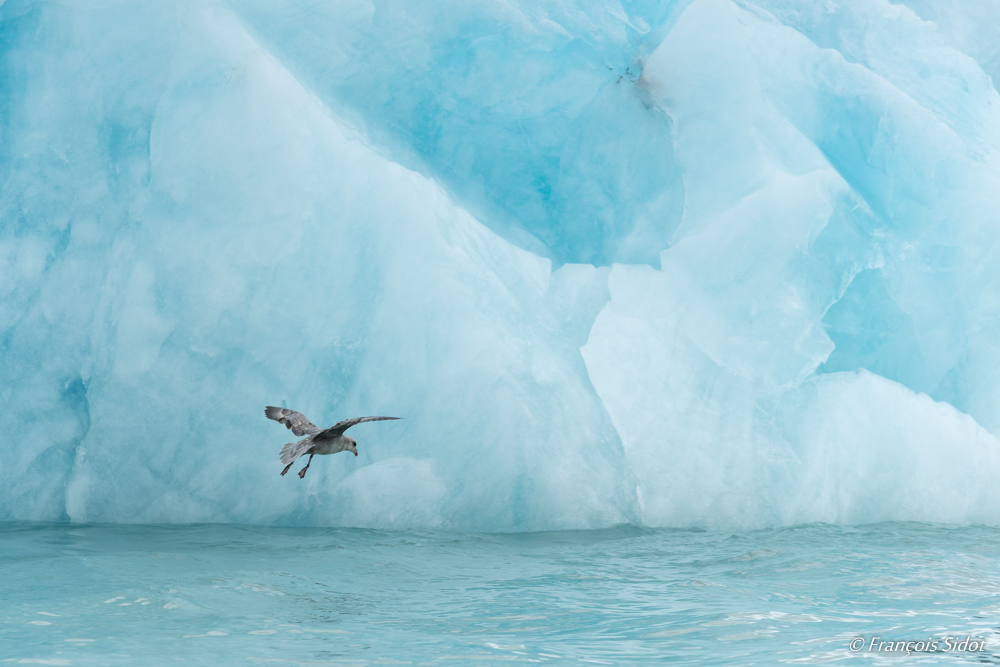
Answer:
(701, 263)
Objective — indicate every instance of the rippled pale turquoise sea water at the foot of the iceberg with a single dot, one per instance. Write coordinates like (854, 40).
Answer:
(214, 594)
